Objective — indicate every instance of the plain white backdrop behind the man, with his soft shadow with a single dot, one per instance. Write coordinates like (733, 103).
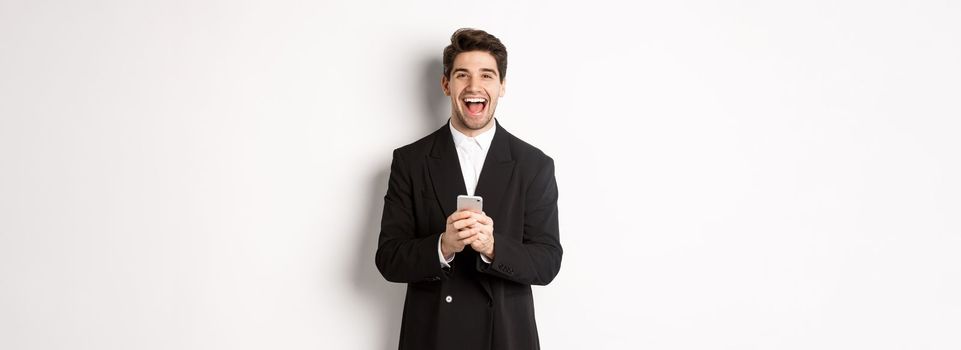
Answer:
(740, 175)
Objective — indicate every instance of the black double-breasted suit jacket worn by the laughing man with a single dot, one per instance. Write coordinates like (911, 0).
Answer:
(490, 305)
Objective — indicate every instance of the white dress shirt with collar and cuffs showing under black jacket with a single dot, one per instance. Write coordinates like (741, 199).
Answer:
(471, 152)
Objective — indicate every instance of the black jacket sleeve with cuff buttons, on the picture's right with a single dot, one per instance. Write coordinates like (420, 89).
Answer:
(537, 258)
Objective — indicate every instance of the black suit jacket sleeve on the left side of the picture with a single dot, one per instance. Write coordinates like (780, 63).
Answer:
(401, 255)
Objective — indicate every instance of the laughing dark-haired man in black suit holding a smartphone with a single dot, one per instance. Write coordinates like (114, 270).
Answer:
(469, 274)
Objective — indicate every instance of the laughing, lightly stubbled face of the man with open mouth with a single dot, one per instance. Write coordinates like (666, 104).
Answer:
(474, 87)
